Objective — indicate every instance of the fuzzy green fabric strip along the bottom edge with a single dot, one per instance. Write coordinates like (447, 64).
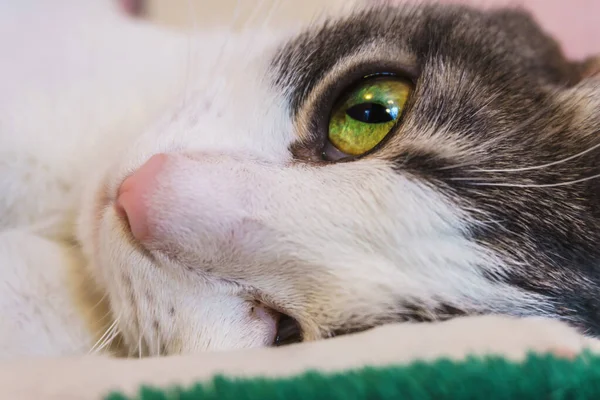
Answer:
(493, 378)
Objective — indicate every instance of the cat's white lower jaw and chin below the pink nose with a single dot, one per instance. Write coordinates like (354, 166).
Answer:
(164, 311)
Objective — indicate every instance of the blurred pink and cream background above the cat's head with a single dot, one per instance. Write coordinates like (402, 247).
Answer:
(576, 23)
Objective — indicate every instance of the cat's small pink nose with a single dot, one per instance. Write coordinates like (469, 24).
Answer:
(134, 193)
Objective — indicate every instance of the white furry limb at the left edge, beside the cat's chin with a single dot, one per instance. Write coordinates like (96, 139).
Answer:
(38, 313)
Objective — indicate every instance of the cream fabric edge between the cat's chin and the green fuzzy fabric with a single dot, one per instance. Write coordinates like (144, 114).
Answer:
(92, 377)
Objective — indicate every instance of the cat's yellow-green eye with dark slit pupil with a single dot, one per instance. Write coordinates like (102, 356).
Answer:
(365, 116)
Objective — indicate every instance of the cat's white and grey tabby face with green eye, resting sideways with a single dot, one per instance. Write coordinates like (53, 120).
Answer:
(284, 183)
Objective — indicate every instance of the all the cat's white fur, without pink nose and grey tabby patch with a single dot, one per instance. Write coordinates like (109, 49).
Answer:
(81, 109)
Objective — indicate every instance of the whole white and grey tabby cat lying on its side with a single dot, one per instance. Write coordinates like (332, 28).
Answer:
(384, 165)
